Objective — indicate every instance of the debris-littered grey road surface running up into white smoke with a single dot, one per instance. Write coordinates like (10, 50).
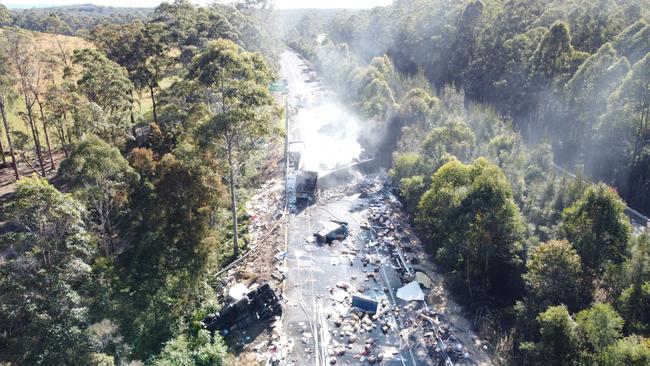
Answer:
(322, 278)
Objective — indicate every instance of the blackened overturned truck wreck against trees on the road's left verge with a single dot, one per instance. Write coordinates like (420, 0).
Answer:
(260, 303)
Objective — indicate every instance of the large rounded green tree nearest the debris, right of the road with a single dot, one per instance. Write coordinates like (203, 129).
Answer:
(472, 225)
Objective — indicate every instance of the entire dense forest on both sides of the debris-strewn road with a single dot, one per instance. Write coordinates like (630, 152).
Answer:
(135, 148)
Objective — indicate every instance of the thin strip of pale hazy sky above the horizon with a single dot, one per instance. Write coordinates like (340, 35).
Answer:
(280, 4)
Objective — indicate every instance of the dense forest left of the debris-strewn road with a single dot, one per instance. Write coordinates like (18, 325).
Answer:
(110, 261)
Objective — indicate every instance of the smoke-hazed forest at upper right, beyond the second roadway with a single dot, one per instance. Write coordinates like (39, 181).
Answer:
(558, 69)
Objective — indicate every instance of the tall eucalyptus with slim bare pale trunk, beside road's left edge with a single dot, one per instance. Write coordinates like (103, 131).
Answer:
(241, 109)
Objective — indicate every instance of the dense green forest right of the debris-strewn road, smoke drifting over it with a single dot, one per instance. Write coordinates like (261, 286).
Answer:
(479, 100)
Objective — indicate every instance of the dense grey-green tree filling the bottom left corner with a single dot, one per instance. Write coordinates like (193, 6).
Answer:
(42, 308)
